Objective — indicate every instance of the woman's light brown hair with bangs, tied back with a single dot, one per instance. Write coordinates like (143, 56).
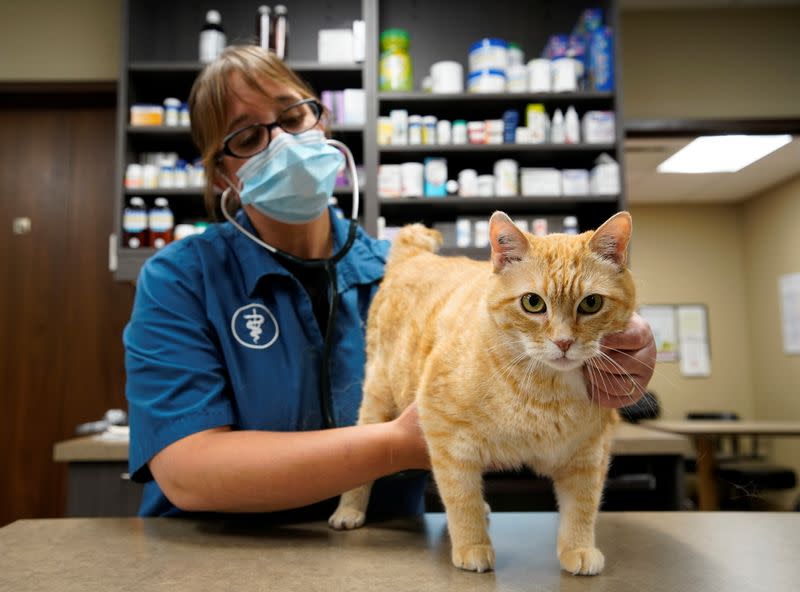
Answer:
(211, 96)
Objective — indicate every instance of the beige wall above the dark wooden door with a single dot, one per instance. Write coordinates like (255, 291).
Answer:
(50, 40)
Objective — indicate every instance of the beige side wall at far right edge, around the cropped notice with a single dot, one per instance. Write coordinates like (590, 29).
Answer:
(772, 248)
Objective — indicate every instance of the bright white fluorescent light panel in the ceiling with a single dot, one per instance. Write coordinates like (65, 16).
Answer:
(722, 154)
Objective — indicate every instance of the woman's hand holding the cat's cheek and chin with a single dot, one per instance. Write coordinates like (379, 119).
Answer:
(622, 379)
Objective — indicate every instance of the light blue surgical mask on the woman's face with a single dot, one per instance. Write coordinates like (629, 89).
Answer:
(293, 179)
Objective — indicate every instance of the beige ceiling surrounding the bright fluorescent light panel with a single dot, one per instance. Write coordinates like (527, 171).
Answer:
(645, 185)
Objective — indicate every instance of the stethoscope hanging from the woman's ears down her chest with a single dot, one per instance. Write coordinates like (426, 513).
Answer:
(325, 395)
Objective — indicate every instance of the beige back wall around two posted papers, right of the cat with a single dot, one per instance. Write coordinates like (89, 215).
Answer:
(695, 255)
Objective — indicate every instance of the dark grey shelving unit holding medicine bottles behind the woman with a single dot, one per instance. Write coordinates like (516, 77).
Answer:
(158, 59)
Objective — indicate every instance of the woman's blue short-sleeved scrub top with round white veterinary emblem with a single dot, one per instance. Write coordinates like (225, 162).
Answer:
(221, 334)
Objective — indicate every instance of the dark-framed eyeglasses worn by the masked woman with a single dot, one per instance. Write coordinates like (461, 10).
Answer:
(295, 119)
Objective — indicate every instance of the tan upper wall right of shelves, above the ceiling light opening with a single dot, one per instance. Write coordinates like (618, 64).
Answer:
(711, 63)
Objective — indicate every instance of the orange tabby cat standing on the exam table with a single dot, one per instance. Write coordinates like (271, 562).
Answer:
(493, 352)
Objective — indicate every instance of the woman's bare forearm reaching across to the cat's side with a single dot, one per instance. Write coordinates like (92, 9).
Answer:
(223, 470)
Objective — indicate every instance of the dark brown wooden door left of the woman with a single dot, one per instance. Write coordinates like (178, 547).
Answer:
(61, 313)
